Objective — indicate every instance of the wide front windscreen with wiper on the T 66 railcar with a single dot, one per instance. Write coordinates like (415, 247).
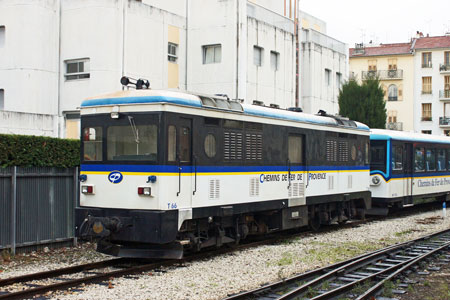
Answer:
(131, 142)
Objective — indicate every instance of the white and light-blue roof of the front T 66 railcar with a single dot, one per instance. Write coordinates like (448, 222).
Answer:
(147, 96)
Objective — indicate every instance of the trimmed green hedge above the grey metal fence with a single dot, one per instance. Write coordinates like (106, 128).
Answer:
(38, 151)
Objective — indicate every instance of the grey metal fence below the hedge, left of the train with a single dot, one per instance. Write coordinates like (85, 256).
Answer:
(37, 206)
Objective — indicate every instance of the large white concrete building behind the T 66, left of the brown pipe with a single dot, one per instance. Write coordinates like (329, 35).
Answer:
(55, 53)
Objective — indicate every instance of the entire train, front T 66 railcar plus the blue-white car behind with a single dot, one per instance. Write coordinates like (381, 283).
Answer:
(165, 171)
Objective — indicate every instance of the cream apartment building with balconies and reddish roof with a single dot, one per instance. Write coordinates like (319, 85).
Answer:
(416, 79)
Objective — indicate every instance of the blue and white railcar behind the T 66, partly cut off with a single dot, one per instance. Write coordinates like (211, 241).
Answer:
(408, 168)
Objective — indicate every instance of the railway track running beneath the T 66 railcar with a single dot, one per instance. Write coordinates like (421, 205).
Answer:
(28, 286)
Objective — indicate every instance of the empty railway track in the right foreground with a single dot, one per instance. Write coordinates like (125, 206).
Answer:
(361, 278)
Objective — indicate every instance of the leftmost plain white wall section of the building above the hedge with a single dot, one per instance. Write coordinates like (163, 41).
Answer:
(29, 57)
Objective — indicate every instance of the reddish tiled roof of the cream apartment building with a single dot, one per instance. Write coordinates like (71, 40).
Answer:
(402, 48)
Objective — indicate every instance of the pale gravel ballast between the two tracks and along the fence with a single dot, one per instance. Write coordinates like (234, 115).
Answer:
(223, 275)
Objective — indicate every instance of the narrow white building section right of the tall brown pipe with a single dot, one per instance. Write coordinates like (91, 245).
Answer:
(323, 65)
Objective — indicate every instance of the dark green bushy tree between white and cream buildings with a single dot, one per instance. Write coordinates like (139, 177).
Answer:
(363, 103)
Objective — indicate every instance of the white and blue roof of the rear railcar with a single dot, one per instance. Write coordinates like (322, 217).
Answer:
(382, 134)
